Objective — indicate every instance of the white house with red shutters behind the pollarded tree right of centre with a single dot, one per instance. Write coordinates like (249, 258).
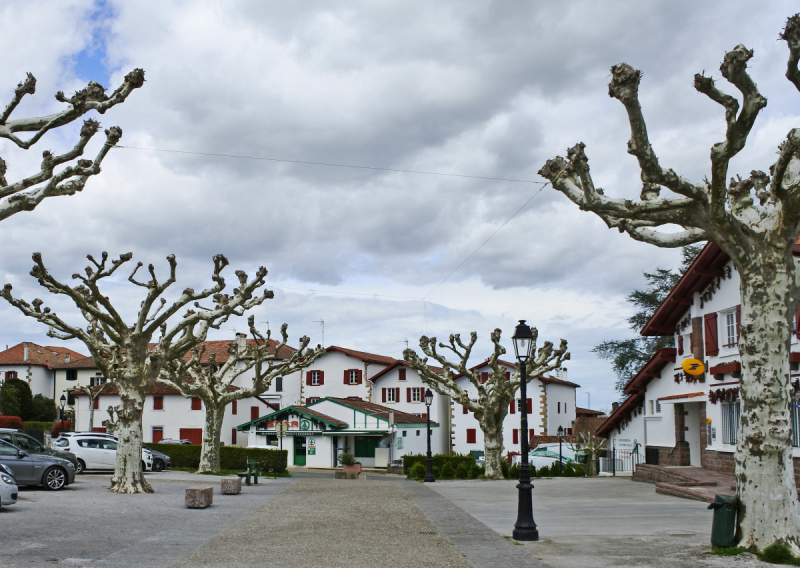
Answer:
(550, 404)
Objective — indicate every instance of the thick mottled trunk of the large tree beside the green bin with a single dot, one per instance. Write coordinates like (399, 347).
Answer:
(764, 469)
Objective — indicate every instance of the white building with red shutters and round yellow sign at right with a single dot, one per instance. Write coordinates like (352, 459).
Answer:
(677, 419)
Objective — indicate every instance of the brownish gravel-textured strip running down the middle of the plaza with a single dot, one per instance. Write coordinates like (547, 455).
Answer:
(326, 523)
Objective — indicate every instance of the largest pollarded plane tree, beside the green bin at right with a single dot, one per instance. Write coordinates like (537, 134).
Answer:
(756, 221)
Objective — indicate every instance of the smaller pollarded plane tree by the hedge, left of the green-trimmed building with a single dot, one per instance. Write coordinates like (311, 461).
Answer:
(212, 380)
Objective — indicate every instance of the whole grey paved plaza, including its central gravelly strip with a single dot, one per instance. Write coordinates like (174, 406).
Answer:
(312, 520)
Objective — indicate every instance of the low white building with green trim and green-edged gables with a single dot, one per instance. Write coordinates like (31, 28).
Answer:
(318, 433)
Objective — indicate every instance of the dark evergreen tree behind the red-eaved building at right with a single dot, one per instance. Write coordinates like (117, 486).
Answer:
(627, 356)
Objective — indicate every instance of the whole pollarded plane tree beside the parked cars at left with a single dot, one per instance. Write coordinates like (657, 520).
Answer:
(127, 354)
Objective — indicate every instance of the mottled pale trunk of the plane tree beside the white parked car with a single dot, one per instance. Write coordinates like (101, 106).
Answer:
(128, 475)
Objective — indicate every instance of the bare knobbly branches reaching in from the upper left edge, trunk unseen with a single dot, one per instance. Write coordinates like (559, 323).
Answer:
(18, 196)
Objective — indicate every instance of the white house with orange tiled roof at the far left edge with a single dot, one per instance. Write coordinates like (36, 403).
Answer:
(35, 364)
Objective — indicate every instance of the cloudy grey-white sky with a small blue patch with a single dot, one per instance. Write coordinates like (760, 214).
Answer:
(488, 89)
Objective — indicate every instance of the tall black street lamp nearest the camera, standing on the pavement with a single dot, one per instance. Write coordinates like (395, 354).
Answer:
(525, 527)
